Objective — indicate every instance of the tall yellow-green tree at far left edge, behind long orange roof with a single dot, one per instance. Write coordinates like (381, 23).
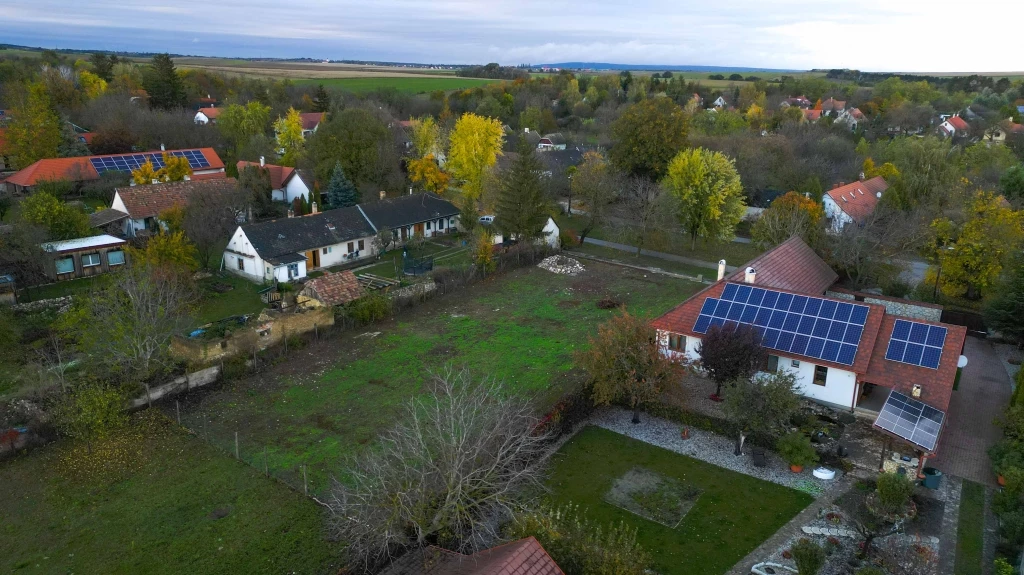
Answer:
(34, 131)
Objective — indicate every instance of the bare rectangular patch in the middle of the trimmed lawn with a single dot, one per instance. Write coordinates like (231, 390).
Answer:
(654, 497)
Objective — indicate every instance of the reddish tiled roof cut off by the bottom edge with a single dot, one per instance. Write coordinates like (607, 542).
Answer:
(526, 557)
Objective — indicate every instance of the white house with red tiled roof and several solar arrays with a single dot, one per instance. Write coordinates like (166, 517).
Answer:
(879, 358)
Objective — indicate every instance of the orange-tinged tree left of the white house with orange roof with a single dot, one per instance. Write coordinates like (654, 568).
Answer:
(789, 215)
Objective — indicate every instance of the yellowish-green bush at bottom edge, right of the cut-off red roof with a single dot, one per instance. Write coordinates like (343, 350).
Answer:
(581, 547)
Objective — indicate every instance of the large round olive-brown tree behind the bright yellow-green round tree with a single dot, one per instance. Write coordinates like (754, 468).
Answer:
(648, 137)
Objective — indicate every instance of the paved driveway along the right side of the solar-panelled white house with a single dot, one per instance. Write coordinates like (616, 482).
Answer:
(984, 394)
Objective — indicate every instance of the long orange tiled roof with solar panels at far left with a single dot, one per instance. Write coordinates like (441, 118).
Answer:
(204, 162)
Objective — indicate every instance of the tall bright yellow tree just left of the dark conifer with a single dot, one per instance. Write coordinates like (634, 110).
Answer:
(476, 145)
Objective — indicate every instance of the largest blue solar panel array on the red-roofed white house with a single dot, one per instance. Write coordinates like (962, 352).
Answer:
(788, 323)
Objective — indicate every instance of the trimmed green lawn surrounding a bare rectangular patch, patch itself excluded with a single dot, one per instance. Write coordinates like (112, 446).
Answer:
(734, 515)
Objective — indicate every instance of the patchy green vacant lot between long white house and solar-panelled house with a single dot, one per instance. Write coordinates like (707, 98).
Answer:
(331, 400)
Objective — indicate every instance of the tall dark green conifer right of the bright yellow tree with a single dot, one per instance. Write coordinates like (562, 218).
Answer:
(522, 209)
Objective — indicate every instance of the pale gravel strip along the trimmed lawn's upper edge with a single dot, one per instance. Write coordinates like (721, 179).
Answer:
(710, 448)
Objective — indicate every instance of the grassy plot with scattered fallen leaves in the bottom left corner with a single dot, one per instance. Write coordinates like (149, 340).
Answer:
(163, 517)
